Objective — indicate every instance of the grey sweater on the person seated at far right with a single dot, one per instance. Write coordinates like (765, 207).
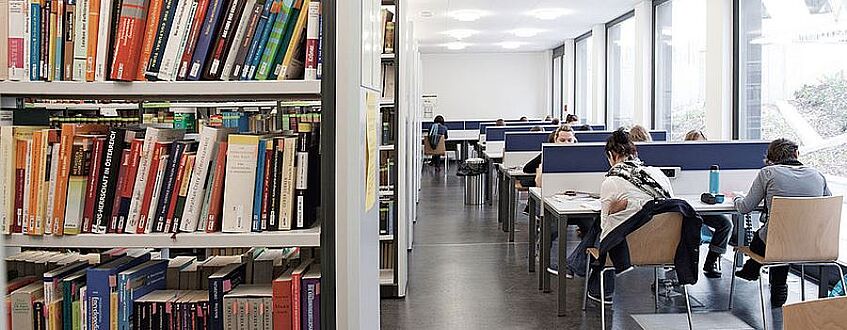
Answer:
(783, 181)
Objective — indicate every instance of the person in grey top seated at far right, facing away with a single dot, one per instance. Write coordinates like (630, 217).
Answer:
(785, 176)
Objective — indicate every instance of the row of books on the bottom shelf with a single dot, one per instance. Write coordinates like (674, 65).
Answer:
(129, 289)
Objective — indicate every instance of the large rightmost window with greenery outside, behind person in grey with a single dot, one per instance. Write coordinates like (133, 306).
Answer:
(792, 79)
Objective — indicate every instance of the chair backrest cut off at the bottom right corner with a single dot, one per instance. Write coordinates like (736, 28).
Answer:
(815, 314)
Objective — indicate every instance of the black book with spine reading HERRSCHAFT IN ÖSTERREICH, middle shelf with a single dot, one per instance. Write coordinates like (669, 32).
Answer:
(108, 179)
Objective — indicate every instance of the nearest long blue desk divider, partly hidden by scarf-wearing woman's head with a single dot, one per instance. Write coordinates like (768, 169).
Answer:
(690, 156)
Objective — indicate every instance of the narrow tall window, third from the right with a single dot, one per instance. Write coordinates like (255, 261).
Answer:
(620, 71)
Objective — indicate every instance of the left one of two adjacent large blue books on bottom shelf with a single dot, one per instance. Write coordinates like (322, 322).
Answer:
(100, 282)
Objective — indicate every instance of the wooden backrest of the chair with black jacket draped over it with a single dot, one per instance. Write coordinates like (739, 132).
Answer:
(655, 243)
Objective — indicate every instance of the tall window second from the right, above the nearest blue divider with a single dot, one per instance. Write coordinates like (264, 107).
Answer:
(680, 66)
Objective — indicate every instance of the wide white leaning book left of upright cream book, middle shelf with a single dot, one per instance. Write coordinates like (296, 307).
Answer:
(207, 150)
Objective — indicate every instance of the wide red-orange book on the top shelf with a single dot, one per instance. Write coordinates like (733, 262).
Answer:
(130, 37)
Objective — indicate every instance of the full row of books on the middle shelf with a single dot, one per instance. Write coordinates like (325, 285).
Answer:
(101, 179)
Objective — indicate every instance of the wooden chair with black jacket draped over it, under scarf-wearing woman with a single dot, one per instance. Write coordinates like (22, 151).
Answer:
(652, 245)
